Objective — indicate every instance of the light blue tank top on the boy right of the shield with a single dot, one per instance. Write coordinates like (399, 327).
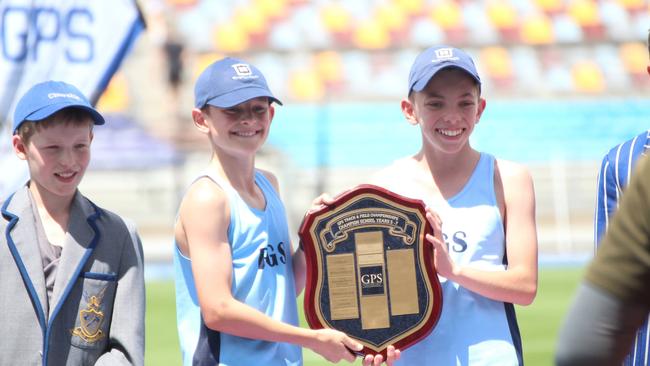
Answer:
(472, 329)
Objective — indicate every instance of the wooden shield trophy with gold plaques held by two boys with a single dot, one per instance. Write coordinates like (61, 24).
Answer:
(370, 273)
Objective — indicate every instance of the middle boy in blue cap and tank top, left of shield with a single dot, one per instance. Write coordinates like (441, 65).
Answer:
(237, 275)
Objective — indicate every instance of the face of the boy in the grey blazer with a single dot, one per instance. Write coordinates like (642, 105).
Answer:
(57, 153)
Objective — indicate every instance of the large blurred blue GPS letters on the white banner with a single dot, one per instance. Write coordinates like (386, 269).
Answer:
(26, 29)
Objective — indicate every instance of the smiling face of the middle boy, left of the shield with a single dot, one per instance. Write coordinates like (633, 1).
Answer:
(241, 129)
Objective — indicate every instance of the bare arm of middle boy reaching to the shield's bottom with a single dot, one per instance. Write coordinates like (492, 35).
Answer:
(204, 216)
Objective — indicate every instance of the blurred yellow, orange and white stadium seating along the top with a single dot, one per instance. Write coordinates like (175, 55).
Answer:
(340, 49)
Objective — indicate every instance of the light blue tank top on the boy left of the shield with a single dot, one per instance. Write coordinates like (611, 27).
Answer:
(262, 277)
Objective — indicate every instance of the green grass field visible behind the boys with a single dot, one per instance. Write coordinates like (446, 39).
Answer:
(539, 322)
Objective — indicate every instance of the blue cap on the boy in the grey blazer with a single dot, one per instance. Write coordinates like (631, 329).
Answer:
(44, 99)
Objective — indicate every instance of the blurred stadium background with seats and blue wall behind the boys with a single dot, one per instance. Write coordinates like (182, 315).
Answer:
(565, 80)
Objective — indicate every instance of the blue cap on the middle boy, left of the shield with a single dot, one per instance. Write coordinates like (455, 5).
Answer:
(228, 82)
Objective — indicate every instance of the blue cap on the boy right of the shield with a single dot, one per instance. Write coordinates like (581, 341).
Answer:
(437, 58)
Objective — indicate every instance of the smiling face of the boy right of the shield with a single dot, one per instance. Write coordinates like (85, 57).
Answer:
(447, 110)
